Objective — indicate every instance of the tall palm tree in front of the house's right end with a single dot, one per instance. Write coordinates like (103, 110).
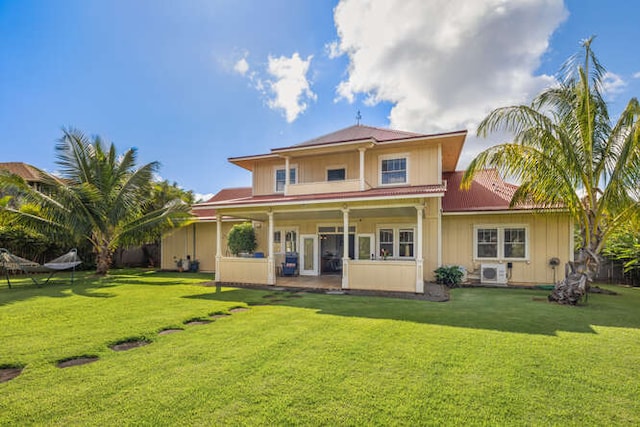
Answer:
(567, 153)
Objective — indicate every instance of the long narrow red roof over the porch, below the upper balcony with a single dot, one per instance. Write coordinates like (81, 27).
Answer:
(274, 199)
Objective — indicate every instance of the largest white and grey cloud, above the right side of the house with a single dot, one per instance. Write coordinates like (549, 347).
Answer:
(444, 64)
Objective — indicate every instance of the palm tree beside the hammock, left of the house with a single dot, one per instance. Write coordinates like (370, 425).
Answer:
(101, 198)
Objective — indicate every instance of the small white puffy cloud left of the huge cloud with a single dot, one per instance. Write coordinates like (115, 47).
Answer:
(289, 87)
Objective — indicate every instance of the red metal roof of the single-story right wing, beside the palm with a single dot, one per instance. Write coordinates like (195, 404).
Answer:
(488, 192)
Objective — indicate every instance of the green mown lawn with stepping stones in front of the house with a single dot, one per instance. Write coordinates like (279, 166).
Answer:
(487, 357)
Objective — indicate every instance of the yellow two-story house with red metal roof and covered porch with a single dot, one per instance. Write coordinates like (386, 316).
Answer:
(380, 208)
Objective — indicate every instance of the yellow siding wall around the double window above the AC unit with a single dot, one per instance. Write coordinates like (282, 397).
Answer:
(550, 236)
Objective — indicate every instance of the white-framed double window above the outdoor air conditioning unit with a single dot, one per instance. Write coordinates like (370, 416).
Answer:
(501, 242)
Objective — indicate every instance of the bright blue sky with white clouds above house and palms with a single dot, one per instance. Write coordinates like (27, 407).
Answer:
(191, 83)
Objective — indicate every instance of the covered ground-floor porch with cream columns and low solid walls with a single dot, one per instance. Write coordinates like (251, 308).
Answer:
(356, 229)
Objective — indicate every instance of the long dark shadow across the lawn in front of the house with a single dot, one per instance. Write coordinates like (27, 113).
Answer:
(505, 310)
